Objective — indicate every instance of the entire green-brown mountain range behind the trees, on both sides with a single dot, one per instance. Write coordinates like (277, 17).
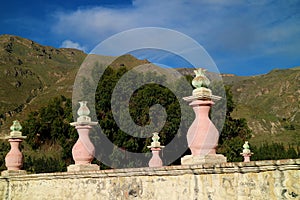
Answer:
(31, 74)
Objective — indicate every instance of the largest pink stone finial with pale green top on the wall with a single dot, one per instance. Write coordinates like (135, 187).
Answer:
(202, 136)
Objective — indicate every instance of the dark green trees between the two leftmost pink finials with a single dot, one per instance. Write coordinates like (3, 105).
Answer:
(50, 137)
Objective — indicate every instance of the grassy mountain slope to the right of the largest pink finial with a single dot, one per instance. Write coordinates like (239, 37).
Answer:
(270, 103)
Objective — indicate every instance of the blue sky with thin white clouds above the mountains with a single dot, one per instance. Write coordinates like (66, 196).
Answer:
(243, 37)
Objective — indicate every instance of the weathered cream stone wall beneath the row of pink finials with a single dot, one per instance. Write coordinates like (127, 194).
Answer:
(254, 180)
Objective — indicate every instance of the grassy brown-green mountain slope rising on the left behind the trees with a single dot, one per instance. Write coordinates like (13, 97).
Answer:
(31, 74)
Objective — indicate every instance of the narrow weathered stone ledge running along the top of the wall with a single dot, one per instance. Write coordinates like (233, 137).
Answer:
(221, 168)
